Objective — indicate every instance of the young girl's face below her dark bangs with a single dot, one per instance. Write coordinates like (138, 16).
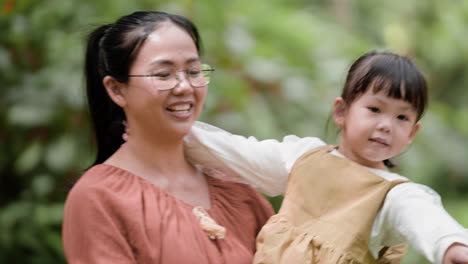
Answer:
(375, 127)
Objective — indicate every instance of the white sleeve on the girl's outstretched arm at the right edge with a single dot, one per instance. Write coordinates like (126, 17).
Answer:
(413, 213)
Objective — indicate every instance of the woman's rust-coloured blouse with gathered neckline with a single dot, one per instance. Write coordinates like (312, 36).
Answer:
(113, 216)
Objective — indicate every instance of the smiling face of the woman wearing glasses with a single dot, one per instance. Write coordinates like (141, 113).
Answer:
(163, 113)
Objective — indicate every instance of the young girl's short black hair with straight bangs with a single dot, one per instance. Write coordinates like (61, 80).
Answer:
(394, 74)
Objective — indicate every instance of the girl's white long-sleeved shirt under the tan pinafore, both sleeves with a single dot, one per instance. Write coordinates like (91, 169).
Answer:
(412, 213)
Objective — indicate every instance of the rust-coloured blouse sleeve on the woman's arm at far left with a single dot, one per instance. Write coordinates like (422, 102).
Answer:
(91, 233)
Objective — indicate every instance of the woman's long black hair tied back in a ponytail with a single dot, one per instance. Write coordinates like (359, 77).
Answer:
(111, 51)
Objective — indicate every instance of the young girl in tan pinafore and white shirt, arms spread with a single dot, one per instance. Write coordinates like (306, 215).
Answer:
(341, 204)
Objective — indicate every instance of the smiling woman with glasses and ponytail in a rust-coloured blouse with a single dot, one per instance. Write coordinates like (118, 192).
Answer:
(142, 201)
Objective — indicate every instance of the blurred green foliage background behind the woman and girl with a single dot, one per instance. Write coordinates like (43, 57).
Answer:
(279, 64)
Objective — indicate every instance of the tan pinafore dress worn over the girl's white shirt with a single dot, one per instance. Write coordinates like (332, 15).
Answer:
(327, 214)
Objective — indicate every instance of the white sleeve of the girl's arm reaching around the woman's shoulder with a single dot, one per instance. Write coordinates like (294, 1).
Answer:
(264, 165)
